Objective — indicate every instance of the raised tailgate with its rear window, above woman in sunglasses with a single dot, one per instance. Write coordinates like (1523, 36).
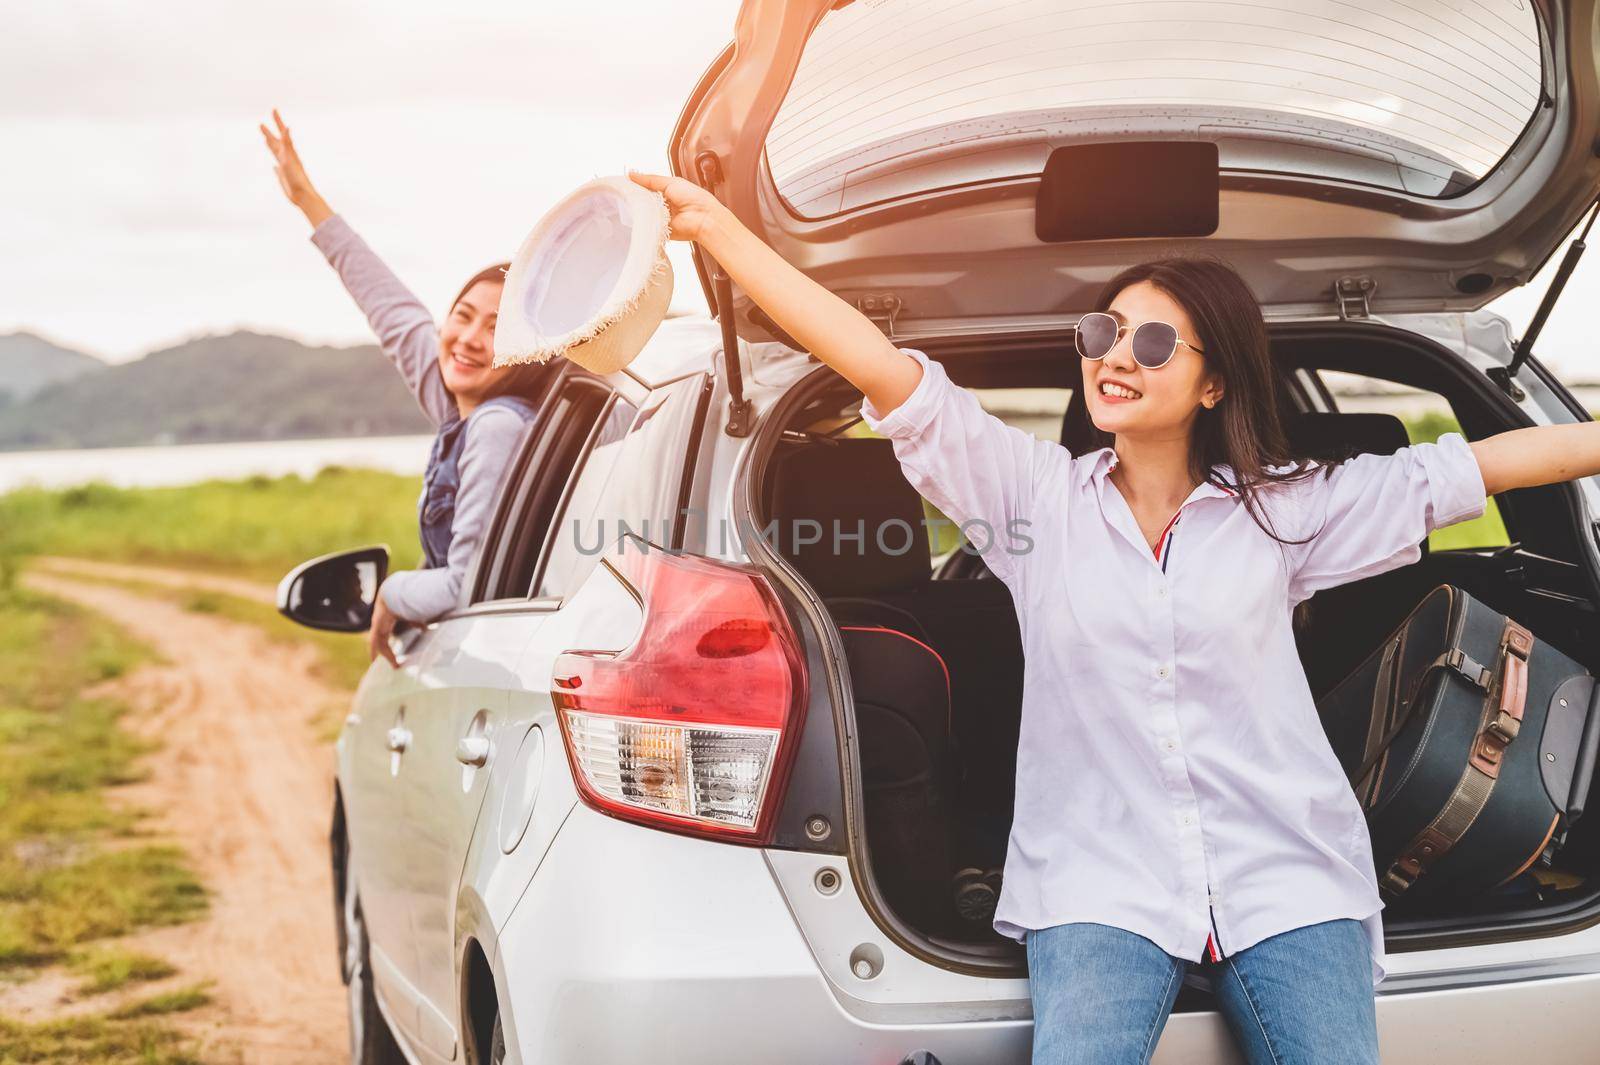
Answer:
(1398, 158)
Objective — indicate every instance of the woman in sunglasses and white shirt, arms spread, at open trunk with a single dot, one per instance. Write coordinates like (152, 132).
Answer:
(1177, 800)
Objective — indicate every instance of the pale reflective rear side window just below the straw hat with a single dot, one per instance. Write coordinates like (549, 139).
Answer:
(631, 482)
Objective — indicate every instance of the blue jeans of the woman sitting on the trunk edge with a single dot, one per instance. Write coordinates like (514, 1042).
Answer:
(1102, 995)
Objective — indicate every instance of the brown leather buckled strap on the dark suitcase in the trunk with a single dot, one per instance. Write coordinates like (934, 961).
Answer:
(1478, 783)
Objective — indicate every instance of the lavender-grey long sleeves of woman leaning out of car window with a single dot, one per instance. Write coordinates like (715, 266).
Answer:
(409, 337)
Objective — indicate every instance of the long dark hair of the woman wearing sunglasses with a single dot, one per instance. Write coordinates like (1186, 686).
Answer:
(1246, 429)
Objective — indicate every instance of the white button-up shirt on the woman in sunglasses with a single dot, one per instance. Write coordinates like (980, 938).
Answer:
(1174, 778)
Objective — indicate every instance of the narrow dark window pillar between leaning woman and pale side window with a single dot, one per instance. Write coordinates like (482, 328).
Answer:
(535, 485)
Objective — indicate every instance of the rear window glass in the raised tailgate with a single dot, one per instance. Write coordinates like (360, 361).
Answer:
(903, 97)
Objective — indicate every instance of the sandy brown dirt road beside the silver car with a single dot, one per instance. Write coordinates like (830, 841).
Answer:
(244, 786)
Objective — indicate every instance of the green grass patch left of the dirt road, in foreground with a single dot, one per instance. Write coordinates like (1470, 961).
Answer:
(74, 871)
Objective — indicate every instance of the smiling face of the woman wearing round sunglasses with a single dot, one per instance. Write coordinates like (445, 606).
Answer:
(1124, 397)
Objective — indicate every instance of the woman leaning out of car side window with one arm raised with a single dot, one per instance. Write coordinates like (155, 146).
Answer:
(479, 410)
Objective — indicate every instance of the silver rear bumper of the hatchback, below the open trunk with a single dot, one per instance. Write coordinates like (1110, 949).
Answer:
(639, 946)
